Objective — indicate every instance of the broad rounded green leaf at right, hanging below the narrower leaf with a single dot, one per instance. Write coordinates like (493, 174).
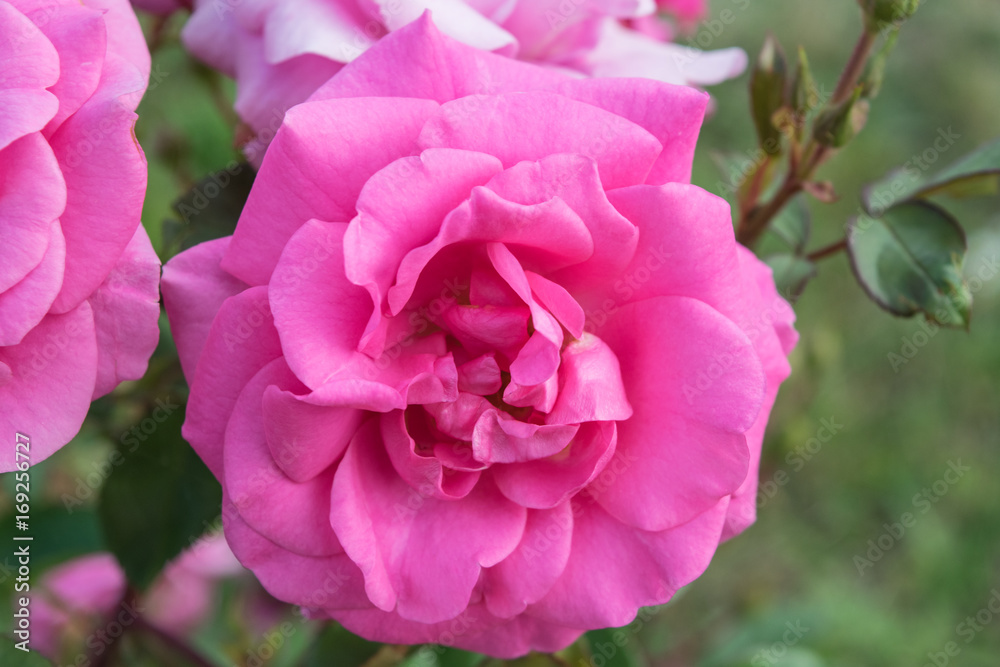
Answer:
(910, 261)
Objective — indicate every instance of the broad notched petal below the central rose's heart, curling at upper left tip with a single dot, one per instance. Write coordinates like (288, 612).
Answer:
(421, 556)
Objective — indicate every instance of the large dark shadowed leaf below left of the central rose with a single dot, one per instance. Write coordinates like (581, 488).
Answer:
(158, 502)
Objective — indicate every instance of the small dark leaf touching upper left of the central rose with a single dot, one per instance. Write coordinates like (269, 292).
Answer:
(211, 208)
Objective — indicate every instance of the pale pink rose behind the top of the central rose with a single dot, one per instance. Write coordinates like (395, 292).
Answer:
(280, 51)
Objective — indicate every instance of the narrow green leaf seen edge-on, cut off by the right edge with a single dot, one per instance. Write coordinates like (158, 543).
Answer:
(976, 174)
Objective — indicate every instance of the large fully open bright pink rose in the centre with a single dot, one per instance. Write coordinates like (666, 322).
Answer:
(479, 366)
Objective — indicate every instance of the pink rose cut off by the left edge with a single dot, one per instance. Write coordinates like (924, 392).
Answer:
(78, 276)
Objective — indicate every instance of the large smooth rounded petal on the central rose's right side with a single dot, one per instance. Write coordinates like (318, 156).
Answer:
(686, 437)
